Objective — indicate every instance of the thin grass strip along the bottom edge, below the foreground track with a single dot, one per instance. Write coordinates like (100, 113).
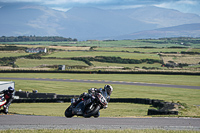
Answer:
(98, 131)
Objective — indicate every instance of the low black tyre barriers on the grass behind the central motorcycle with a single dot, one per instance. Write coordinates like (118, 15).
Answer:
(25, 97)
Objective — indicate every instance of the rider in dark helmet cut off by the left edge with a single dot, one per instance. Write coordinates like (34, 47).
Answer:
(9, 96)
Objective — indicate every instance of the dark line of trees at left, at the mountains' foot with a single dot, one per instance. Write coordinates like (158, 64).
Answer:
(35, 38)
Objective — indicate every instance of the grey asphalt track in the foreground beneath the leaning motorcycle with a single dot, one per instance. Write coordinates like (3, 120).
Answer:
(53, 122)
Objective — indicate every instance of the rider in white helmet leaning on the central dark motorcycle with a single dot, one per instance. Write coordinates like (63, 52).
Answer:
(106, 92)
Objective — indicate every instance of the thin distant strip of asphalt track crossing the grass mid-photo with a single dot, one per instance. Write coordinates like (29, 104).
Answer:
(107, 82)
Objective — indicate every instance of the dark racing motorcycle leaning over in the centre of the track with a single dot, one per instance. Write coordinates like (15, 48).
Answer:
(87, 107)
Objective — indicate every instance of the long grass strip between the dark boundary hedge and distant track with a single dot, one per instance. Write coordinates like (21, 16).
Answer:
(190, 80)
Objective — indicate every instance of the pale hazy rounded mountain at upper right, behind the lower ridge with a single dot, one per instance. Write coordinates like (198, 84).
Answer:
(160, 16)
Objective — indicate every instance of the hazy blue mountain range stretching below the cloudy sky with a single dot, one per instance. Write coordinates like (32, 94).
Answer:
(92, 23)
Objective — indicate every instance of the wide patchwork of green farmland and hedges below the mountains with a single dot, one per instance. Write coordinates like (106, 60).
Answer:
(166, 54)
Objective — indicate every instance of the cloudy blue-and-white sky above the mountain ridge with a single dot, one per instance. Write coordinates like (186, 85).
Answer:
(186, 6)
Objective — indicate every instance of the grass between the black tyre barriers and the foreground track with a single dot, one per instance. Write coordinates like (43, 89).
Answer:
(58, 109)
